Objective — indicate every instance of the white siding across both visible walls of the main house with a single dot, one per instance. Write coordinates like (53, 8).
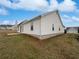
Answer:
(44, 25)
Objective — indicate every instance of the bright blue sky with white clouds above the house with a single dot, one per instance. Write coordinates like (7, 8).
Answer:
(12, 10)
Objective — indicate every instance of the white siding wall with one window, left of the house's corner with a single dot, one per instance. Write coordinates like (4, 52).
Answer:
(32, 27)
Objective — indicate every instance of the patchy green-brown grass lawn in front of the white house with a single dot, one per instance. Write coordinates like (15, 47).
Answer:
(26, 47)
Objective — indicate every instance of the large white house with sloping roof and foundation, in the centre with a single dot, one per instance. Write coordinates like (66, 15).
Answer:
(43, 26)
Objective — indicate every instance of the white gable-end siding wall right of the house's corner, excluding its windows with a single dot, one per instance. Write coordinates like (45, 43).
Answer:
(47, 21)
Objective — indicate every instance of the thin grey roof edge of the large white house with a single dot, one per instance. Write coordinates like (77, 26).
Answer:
(39, 16)
